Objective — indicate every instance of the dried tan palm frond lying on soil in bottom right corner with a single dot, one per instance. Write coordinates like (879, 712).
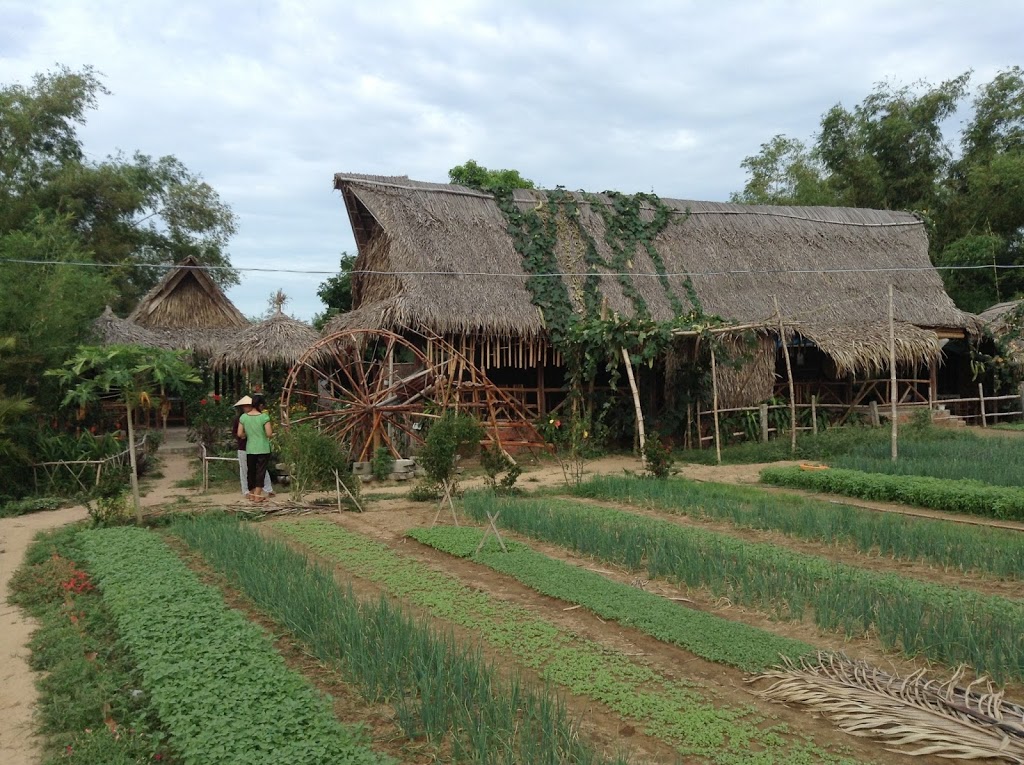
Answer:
(937, 718)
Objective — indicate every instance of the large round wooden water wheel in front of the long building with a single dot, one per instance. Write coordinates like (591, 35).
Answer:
(373, 389)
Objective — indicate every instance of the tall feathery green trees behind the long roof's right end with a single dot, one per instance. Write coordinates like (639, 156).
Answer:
(890, 153)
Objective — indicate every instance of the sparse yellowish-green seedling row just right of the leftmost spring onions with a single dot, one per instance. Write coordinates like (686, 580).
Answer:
(669, 709)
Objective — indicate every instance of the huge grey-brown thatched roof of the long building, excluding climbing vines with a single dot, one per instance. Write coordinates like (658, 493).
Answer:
(443, 261)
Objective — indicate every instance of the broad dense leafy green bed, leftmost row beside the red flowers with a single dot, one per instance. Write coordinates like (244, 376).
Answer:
(218, 685)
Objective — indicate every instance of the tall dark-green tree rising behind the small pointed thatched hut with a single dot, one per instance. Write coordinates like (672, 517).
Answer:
(133, 212)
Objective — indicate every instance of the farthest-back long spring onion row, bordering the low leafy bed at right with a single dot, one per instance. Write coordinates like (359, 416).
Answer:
(890, 534)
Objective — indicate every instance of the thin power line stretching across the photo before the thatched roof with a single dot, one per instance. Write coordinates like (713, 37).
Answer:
(557, 275)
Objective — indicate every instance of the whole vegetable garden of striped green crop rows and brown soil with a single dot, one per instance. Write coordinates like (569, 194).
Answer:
(628, 621)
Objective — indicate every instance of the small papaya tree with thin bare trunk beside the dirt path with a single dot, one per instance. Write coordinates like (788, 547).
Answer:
(138, 375)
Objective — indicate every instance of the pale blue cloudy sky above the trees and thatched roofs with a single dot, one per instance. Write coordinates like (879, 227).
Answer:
(267, 101)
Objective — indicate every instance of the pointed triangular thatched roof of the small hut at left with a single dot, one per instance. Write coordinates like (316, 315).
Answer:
(187, 299)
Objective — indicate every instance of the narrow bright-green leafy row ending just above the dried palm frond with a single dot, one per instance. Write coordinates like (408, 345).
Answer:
(708, 636)
